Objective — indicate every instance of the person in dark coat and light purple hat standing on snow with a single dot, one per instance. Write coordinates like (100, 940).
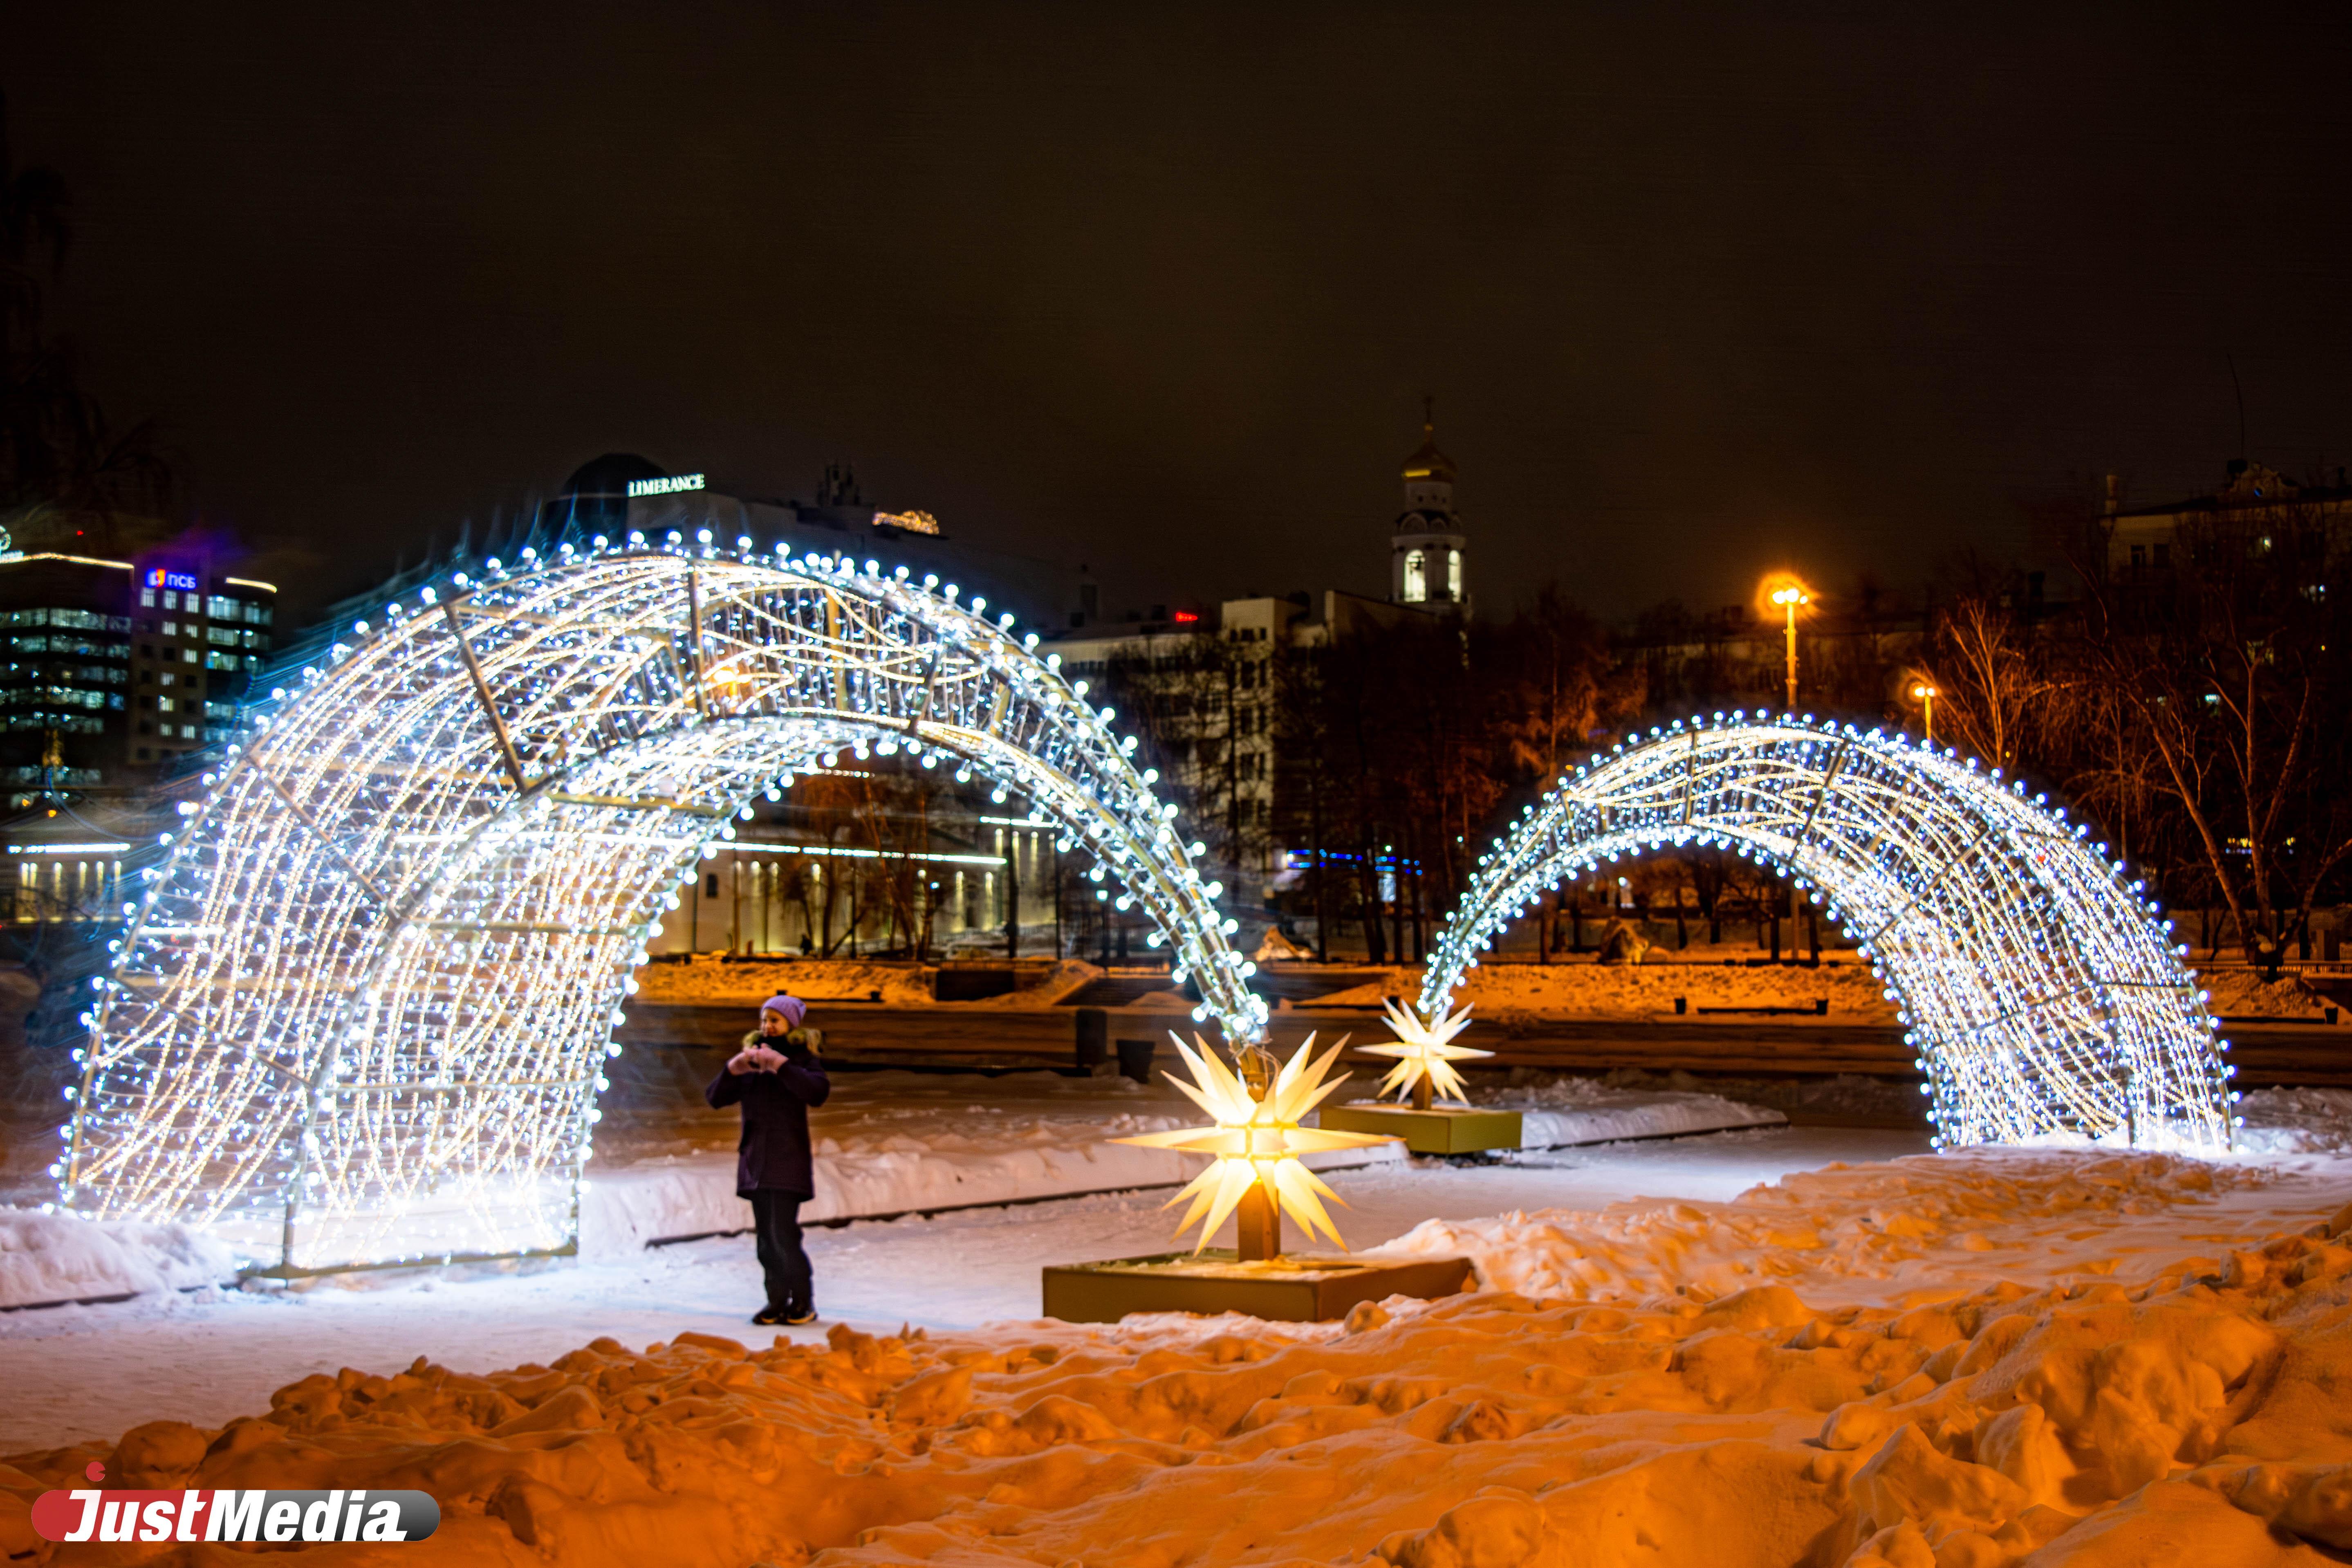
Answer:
(777, 1078)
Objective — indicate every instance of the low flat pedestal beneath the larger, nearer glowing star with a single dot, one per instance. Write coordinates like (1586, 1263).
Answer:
(1278, 1289)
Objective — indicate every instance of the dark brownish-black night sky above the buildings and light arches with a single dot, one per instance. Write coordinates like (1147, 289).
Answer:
(1161, 288)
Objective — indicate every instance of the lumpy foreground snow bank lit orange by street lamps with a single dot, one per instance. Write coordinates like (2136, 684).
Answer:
(2104, 1402)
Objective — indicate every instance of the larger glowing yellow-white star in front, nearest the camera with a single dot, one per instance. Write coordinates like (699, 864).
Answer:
(1257, 1144)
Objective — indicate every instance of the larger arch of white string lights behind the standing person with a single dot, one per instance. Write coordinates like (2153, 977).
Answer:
(363, 1007)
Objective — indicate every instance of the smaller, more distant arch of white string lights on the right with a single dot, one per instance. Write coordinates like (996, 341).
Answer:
(2038, 986)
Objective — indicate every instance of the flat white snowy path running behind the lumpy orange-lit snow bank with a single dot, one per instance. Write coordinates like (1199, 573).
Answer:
(203, 1358)
